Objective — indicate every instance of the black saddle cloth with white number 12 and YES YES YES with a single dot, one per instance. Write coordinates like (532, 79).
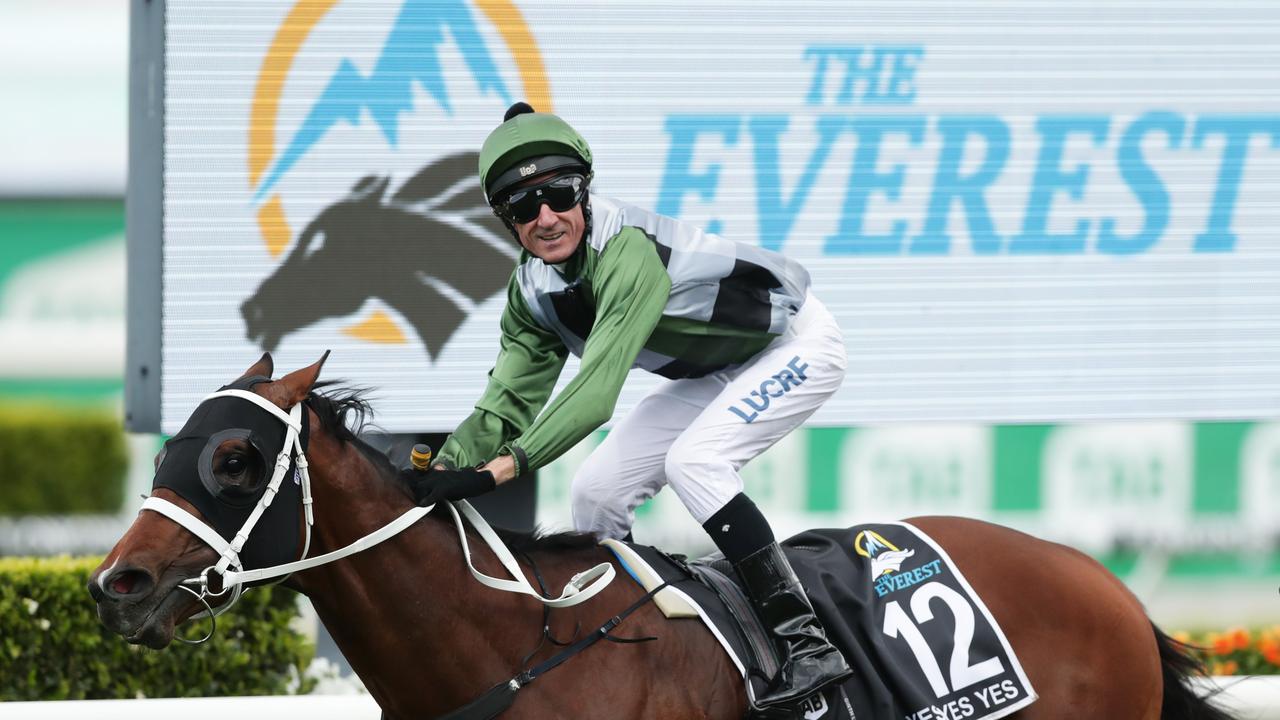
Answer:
(922, 645)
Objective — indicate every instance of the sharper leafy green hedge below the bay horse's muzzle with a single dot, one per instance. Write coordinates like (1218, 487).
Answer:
(53, 646)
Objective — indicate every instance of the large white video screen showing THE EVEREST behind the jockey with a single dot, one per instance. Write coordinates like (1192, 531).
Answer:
(1017, 213)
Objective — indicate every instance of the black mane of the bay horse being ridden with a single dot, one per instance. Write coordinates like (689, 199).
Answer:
(345, 413)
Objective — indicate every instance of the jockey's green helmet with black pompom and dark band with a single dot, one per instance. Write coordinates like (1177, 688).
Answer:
(529, 144)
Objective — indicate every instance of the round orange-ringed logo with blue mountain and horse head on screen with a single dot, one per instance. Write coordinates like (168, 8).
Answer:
(408, 97)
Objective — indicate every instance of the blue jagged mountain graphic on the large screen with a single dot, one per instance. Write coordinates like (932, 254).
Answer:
(412, 54)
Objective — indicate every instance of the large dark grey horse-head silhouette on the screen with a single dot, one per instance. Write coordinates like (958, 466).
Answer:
(431, 253)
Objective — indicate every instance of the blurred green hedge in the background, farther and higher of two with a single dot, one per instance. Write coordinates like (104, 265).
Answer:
(61, 462)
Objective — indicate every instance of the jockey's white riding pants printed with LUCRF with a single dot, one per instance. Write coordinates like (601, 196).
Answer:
(696, 434)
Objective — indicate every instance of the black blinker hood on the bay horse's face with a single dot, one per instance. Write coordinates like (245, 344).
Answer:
(186, 468)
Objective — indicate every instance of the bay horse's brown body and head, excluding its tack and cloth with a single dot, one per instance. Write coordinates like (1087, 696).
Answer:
(427, 639)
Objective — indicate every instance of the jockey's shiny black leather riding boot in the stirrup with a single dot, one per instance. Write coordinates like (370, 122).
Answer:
(810, 662)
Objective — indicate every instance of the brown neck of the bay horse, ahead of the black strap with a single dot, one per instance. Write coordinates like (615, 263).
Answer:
(408, 609)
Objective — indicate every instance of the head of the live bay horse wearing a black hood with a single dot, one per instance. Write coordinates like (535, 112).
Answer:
(216, 471)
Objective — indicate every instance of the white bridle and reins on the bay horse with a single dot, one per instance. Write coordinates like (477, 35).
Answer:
(234, 576)
